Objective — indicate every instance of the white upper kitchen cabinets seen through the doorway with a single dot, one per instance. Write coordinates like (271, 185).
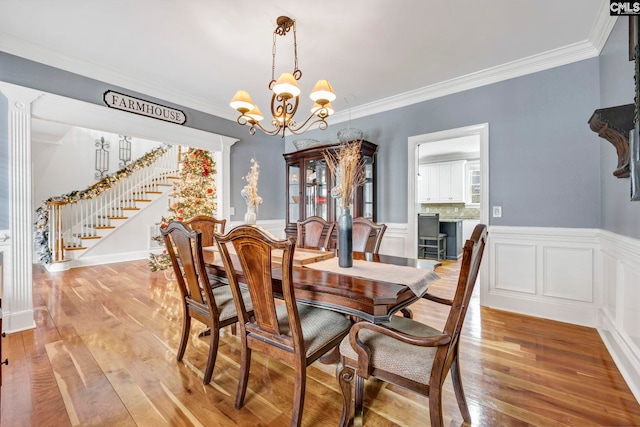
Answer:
(442, 182)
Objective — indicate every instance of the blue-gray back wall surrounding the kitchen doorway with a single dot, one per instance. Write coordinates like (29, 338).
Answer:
(544, 159)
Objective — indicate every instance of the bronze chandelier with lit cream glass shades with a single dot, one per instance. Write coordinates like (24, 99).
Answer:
(285, 97)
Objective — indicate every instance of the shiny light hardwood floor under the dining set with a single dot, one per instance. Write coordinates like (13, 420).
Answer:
(103, 353)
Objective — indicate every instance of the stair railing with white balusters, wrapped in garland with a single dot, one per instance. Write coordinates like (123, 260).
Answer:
(81, 214)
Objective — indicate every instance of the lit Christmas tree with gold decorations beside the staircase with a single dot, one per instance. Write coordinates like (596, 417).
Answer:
(193, 194)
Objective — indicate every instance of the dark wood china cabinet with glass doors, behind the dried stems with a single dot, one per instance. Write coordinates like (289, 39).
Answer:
(309, 184)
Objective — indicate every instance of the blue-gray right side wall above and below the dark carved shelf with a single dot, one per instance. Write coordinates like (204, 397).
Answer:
(619, 214)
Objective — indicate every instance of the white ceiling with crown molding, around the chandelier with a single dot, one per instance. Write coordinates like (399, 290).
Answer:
(377, 54)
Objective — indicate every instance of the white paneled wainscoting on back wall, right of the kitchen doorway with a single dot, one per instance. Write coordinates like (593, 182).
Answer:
(545, 272)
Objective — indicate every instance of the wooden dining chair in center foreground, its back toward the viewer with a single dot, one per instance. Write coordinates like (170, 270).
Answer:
(296, 334)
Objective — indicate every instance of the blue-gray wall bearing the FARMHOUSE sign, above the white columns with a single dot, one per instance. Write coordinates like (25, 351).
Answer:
(268, 150)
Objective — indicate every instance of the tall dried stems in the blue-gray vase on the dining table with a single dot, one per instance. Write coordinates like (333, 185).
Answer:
(347, 167)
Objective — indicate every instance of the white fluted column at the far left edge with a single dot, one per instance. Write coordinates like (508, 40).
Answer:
(17, 293)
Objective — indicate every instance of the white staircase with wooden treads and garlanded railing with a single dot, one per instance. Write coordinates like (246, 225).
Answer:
(82, 221)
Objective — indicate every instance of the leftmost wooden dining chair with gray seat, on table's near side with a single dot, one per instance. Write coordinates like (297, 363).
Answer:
(213, 306)
